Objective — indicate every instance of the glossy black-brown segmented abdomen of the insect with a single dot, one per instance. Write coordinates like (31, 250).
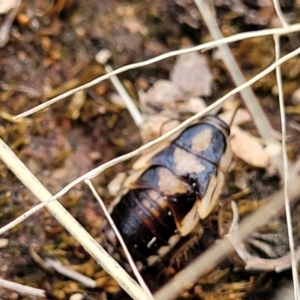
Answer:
(144, 226)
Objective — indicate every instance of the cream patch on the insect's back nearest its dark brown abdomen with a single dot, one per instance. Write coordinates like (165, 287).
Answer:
(169, 184)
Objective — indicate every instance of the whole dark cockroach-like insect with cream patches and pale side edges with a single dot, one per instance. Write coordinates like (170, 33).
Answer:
(170, 189)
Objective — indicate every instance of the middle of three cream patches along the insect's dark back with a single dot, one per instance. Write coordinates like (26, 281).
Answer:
(186, 162)
